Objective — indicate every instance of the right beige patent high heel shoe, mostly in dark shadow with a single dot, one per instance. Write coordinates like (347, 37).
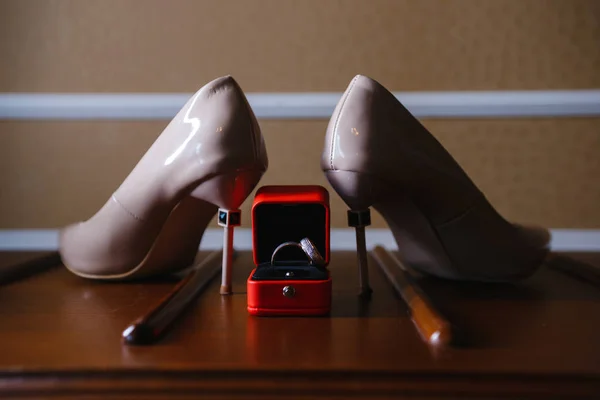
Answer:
(377, 154)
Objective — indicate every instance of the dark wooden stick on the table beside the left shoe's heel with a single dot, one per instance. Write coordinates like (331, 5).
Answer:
(150, 327)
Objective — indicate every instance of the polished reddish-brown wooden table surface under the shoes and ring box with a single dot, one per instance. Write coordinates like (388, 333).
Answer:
(60, 335)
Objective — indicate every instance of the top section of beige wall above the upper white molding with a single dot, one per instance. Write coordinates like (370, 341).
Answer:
(298, 45)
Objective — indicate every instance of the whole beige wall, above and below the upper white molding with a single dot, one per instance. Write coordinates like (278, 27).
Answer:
(541, 171)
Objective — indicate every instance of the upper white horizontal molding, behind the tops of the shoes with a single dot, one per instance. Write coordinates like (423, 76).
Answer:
(161, 106)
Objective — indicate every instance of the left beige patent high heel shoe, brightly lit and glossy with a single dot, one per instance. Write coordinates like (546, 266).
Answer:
(212, 154)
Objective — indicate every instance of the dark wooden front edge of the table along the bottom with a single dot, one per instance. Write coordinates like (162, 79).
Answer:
(322, 383)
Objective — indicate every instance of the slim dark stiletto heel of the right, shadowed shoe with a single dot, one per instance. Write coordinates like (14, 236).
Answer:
(359, 191)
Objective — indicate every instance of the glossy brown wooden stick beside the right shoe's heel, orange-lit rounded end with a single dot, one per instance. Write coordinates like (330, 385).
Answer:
(429, 322)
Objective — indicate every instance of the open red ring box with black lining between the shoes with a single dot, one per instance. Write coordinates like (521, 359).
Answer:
(281, 214)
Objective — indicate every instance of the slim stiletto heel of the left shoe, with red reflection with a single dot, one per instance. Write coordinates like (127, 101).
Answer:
(228, 192)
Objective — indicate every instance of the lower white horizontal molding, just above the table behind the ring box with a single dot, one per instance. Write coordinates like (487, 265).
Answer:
(341, 239)
